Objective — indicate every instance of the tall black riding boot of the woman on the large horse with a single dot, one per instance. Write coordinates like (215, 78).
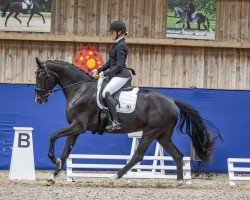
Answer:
(115, 125)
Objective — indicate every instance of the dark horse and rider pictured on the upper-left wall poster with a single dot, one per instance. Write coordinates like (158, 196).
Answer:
(30, 7)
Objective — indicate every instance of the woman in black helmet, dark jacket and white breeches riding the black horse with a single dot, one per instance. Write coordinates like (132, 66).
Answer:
(115, 69)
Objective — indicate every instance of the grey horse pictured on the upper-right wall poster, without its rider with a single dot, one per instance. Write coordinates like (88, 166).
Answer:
(199, 19)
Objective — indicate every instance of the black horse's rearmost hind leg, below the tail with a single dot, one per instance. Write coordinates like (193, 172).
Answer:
(166, 142)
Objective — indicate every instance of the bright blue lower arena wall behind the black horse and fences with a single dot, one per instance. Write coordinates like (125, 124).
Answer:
(228, 110)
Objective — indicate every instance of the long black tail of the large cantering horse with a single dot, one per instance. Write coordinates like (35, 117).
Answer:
(197, 131)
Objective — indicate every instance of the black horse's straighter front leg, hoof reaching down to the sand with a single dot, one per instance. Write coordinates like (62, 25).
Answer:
(67, 149)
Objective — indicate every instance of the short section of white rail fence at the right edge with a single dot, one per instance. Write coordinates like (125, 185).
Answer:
(237, 173)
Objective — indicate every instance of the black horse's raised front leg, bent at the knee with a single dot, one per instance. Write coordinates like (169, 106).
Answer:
(72, 129)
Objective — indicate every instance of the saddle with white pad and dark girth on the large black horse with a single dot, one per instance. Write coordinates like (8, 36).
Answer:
(125, 101)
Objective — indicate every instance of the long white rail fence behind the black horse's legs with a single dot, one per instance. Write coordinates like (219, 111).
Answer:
(153, 170)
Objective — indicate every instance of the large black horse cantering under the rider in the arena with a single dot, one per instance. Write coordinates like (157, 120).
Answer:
(155, 114)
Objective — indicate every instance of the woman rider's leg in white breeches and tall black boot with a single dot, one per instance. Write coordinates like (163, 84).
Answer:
(113, 86)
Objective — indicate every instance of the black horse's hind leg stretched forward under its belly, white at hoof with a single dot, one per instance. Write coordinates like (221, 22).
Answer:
(146, 140)
